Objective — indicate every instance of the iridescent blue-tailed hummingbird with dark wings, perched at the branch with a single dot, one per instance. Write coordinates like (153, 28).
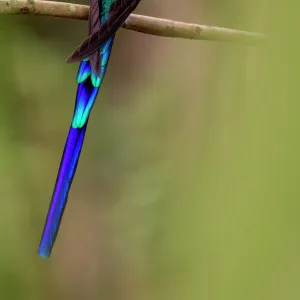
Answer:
(105, 18)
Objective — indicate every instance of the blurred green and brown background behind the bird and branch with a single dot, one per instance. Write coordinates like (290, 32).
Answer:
(188, 183)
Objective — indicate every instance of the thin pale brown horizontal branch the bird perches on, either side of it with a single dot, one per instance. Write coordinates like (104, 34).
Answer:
(144, 24)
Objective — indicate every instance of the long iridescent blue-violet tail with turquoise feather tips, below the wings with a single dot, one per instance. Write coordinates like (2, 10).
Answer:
(88, 87)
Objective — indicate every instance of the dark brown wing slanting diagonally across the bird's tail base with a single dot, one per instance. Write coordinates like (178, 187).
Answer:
(119, 12)
